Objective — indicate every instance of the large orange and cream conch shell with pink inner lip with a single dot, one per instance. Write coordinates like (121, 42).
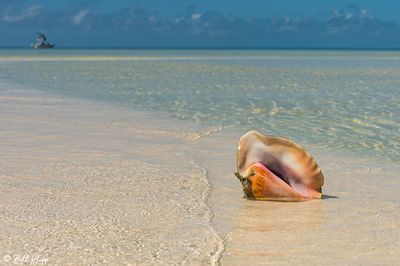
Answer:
(276, 168)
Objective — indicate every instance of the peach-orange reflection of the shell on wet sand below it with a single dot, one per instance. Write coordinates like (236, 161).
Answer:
(269, 229)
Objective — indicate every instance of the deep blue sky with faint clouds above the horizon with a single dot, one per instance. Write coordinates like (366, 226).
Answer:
(203, 23)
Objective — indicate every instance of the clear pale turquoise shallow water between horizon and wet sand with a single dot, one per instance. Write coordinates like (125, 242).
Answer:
(341, 100)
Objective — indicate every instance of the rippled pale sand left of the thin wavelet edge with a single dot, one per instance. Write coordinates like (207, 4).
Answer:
(87, 183)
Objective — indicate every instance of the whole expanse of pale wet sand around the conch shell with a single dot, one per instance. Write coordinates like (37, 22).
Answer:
(88, 182)
